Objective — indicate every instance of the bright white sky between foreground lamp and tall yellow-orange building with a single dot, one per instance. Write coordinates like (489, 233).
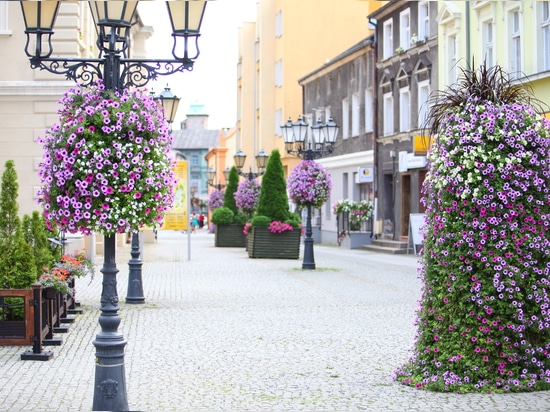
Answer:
(213, 81)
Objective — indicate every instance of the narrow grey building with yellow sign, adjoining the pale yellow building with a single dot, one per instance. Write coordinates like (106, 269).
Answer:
(406, 75)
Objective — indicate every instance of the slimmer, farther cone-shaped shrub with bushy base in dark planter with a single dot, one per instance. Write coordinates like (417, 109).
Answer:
(228, 219)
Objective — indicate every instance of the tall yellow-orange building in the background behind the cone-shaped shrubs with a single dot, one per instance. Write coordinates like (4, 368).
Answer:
(289, 39)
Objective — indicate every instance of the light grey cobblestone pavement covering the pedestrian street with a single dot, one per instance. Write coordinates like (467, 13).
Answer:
(222, 332)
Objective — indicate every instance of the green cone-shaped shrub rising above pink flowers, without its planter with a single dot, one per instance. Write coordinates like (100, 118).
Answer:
(273, 197)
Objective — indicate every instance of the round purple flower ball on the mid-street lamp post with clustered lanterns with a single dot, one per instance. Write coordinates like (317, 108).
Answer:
(309, 183)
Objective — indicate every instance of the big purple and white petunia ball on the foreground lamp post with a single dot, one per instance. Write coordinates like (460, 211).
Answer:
(105, 166)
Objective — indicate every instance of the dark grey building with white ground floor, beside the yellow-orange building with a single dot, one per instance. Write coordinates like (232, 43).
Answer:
(343, 89)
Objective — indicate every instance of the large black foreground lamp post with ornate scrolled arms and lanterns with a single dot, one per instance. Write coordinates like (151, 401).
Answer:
(114, 20)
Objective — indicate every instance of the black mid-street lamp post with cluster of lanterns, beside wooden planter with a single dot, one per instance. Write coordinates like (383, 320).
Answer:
(316, 146)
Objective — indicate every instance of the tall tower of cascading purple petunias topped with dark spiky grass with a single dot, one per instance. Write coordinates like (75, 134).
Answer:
(484, 318)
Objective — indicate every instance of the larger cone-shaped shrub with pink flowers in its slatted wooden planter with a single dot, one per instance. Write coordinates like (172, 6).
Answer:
(274, 232)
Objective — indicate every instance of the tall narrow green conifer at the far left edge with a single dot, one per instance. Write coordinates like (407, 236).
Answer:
(9, 220)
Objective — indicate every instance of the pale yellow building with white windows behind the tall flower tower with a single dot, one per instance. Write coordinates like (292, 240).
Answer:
(512, 34)
